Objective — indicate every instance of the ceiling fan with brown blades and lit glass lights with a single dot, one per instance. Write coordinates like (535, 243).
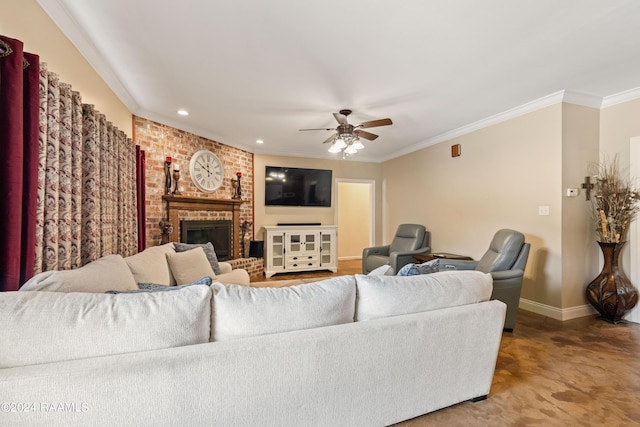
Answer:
(347, 136)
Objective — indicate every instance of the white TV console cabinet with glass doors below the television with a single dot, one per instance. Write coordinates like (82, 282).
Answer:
(291, 248)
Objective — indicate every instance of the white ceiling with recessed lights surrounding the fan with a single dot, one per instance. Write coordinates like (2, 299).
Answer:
(250, 70)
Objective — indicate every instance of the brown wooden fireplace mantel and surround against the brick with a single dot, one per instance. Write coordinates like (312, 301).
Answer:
(186, 203)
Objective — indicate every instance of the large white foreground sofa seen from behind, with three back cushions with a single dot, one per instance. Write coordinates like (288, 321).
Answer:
(346, 351)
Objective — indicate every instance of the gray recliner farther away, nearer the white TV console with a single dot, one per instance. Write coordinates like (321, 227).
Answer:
(410, 240)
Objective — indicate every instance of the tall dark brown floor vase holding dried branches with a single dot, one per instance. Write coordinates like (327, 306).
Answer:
(611, 293)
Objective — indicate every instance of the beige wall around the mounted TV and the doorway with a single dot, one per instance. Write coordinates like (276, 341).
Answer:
(272, 215)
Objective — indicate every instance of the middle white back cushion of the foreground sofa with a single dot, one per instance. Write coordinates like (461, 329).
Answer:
(241, 311)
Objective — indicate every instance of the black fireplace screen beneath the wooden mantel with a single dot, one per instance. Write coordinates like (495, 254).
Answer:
(216, 232)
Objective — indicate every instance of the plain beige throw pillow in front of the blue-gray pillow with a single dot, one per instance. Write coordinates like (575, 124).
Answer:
(150, 265)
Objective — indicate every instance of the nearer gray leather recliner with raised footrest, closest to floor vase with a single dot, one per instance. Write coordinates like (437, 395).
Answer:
(506, 260)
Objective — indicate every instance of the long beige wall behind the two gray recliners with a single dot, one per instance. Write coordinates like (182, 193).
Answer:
(504, 173)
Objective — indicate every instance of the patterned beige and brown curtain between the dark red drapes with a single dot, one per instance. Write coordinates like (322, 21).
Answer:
(87, 203)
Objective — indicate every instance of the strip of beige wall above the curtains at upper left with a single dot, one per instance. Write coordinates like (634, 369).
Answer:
(25, 20)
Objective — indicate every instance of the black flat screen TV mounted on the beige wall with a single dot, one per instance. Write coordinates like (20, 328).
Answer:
(297, 187)
